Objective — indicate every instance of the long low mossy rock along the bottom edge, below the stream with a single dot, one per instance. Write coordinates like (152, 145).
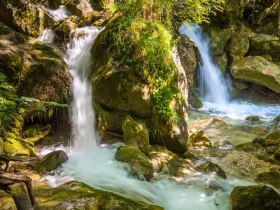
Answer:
(77, 195)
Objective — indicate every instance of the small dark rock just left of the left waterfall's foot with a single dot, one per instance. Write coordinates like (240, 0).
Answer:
(51, 161)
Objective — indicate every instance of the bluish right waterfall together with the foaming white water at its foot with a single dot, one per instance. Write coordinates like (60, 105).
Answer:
(214, 88)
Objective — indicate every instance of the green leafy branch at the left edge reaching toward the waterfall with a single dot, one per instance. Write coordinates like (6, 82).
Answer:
(13, 106)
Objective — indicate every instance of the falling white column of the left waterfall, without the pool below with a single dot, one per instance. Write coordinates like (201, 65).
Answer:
(84, 134)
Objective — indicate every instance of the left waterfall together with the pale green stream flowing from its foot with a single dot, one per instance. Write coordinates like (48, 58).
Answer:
(95, 164)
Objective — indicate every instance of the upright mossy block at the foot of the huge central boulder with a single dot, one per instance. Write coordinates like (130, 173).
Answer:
(135, 133)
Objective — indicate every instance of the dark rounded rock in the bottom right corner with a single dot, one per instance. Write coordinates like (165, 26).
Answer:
(255, 197)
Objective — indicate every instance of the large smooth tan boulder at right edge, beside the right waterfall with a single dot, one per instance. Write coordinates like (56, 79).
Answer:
(257, 70)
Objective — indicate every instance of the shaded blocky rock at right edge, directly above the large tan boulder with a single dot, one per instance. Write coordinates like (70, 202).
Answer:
(262, 44)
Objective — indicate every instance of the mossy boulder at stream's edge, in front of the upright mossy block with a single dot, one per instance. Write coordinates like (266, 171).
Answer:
(139, 164)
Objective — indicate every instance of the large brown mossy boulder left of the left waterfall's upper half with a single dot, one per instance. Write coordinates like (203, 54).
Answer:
(37, 70)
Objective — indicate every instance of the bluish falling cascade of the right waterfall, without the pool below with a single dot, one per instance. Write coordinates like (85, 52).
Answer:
(212, 86)
